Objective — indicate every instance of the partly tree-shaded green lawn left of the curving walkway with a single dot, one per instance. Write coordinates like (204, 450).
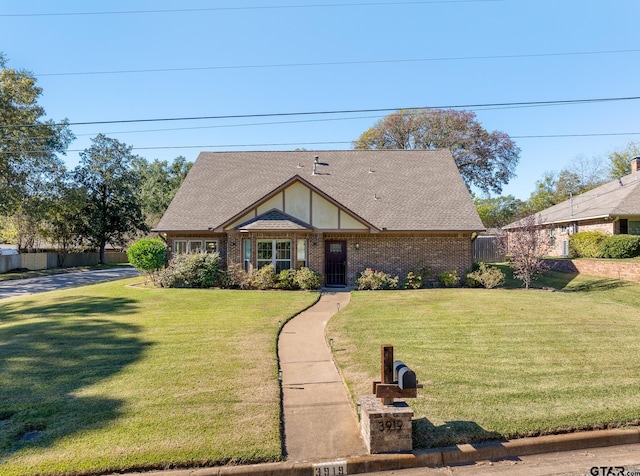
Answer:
(113, 377)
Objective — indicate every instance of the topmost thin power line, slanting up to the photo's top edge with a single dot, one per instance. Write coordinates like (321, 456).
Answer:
(222, 9)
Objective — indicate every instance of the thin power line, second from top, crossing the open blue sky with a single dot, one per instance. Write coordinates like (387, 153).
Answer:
(337, 63)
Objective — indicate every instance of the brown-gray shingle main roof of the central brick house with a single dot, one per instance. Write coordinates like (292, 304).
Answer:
(390, 189)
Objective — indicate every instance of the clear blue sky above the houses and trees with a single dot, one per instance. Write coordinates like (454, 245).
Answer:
(230, 58)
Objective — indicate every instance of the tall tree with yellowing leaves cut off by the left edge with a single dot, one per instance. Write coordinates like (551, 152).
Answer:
(29, 144)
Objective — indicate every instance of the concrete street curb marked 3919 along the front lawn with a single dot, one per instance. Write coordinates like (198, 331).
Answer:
(449, 456)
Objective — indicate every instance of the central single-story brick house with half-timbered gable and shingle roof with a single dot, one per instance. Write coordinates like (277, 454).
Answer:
(335, 212)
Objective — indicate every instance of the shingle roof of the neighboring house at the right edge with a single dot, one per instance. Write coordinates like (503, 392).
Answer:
(620, 197)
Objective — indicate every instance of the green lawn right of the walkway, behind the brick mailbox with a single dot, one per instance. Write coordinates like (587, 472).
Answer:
(502, 363)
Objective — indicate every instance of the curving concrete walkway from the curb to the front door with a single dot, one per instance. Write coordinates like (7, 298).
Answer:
(320, 422)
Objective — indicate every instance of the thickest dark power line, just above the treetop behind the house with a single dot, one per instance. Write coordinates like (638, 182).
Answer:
(563, 102)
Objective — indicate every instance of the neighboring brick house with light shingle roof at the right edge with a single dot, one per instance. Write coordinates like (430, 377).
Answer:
(612, 208)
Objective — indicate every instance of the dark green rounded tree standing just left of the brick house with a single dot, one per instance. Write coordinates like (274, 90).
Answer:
(112, 210)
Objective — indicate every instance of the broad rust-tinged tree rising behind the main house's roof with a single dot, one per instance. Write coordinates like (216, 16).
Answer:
(486, 160)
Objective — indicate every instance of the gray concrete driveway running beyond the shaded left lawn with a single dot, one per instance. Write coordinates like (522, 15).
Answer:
(41, 284)
